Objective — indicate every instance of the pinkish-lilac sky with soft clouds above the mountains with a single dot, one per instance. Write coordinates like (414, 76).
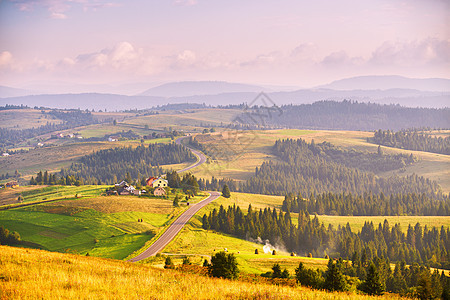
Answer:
(285, 42)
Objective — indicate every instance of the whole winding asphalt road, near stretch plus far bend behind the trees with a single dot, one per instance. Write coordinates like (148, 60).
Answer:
(179, 223)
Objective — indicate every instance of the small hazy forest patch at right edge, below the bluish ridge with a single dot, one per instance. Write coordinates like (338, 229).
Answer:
(412, 140)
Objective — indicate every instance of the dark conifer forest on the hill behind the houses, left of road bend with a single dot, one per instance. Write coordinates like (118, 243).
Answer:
(112, 165)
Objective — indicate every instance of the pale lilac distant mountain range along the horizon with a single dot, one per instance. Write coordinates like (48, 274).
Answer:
(432, 93)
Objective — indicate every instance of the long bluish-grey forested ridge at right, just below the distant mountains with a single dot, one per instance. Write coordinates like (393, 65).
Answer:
(345, 115)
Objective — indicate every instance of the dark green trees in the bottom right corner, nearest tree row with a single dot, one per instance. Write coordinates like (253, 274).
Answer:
(375, 277)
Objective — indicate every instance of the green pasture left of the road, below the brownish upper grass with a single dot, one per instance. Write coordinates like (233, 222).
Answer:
(78, 229)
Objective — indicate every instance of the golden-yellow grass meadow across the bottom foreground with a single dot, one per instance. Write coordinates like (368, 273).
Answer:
(35, 274)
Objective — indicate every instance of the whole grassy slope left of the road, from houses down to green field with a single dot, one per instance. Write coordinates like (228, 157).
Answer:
(103, 226)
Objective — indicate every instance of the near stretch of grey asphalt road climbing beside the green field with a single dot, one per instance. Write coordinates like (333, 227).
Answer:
(173, 229)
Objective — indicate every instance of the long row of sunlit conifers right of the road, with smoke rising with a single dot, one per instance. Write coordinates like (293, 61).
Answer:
(423, 245)
